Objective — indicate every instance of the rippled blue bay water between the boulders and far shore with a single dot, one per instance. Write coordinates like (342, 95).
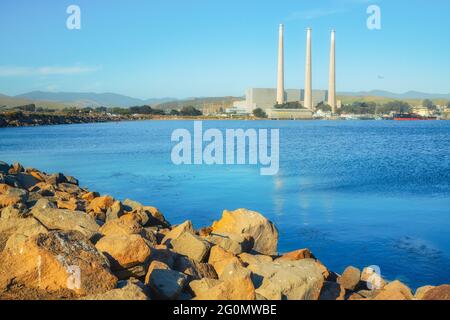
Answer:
(355, 193)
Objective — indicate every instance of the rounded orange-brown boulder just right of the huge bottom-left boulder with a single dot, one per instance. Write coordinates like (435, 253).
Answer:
(125, 251)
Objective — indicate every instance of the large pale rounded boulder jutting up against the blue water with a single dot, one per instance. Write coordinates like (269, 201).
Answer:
(242, 221)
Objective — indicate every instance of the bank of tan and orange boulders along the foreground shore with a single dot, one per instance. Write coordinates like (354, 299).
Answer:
(61, 241)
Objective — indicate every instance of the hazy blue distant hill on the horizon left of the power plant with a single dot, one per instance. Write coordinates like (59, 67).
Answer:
(89, 99)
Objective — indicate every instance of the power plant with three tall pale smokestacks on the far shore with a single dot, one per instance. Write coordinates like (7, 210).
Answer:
(272, 100)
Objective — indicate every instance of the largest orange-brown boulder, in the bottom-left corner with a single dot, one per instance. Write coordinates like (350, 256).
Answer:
(58, 260)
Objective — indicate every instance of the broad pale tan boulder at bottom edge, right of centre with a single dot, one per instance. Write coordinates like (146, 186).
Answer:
(288, 280)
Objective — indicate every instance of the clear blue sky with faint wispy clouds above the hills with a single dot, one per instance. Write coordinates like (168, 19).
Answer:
(186, 48)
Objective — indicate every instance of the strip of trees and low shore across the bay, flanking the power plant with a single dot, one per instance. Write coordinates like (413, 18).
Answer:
(30, 115)
